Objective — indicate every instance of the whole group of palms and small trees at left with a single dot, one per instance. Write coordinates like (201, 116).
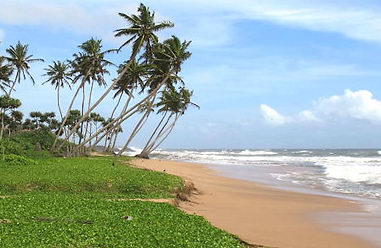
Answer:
(148, 83)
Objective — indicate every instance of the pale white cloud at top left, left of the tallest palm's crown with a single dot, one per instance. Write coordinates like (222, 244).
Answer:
(79, 17)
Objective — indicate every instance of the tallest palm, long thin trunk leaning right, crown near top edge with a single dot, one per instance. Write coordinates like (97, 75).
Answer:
(141, 32)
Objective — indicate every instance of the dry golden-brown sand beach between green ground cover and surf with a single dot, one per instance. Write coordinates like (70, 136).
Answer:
(259, 214)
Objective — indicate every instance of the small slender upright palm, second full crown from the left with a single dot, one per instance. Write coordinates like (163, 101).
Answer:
(59, 75)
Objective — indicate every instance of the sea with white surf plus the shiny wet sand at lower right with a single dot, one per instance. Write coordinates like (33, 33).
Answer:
(352, 174)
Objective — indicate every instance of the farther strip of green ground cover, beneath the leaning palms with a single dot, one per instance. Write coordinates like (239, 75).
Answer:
(105, 175)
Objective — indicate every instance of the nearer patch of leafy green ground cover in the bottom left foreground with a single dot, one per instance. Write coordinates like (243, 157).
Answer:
(63, 220)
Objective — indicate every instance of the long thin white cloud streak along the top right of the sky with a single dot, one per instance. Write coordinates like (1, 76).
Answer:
(354, 20)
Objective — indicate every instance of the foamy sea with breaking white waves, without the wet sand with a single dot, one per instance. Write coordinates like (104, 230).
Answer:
(354, 172)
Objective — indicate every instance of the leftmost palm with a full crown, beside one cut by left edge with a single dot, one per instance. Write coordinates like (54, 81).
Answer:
(20, 59)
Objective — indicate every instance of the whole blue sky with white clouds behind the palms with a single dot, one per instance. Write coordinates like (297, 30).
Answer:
(266, 73)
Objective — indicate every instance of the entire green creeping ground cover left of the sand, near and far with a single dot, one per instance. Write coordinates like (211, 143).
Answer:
(65, 202)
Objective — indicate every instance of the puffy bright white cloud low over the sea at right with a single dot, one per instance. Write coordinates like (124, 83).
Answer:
(359, 105)
